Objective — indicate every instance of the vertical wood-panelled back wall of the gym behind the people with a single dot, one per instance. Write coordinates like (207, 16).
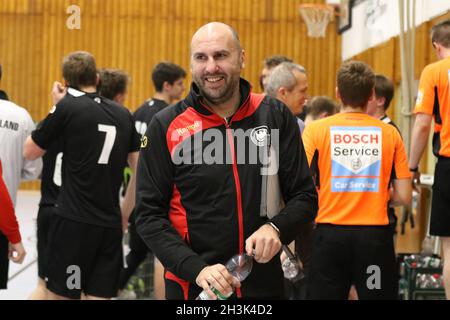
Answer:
(134, 35)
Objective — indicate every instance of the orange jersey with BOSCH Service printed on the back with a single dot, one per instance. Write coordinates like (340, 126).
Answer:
(353, 158)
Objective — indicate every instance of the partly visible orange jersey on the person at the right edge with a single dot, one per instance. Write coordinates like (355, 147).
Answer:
(433, 98)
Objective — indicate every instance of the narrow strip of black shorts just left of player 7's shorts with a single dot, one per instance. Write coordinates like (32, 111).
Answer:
(43, 224)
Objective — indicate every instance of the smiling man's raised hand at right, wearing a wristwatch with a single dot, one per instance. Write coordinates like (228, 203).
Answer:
(263, 244)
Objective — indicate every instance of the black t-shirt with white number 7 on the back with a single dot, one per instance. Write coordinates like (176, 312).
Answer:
(98, 135)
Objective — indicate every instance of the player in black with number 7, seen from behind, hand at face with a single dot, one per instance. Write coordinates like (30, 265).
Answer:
(85, 242)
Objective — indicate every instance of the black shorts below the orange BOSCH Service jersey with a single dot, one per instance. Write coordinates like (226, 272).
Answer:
(346, 255)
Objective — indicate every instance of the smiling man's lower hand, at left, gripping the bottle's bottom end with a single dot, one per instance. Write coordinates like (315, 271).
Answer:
(217, 276)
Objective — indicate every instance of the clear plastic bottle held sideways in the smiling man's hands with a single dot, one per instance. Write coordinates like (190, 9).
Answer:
(239, 266)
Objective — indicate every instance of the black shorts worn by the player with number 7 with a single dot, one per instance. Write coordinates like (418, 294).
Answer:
(83, 258)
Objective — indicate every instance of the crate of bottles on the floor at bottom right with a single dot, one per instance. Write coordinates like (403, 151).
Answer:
(421, 278)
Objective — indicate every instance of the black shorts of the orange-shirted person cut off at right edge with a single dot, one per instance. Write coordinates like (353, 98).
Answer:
(440, 205)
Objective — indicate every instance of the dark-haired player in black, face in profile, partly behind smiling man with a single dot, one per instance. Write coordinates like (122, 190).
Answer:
(168, 81)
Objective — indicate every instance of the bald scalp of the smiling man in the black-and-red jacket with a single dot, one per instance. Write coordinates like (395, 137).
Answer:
(216, 30)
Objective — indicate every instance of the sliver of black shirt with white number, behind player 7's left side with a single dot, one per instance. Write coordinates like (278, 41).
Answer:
(51, 179)
